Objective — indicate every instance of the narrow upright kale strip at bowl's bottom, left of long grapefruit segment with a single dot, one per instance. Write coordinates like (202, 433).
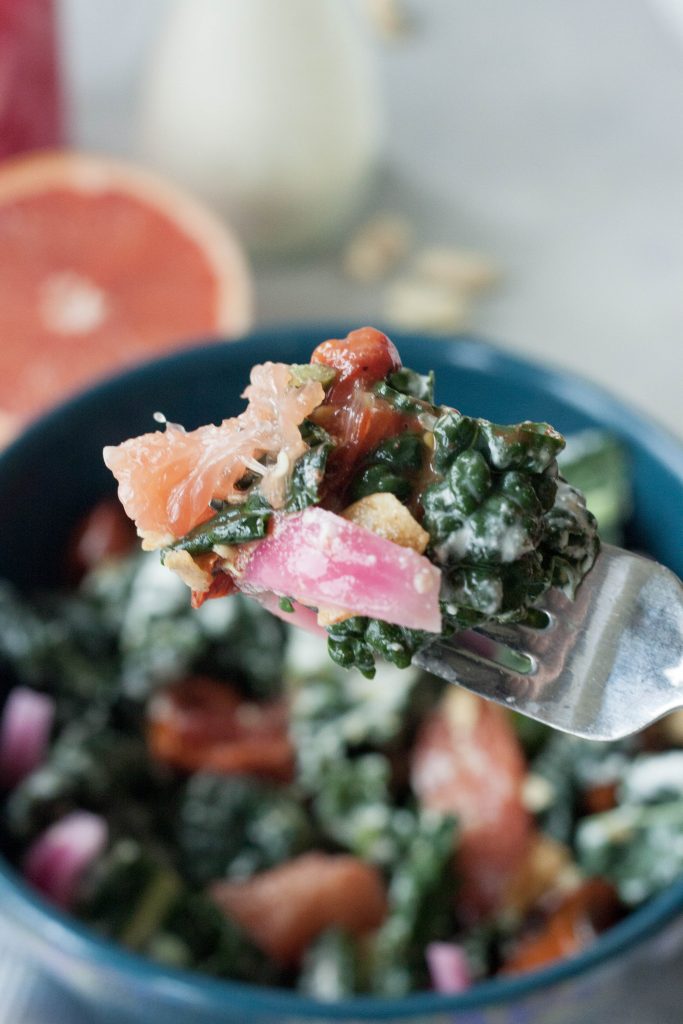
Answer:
(421, 895)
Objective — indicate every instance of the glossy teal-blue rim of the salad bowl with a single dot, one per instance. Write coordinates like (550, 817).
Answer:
(194, 990)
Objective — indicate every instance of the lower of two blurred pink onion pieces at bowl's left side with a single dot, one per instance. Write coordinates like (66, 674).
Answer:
(57, 862)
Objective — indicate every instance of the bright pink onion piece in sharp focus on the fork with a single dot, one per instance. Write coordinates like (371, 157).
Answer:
(328, 563)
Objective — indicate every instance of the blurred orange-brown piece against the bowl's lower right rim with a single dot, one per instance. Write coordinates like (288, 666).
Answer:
(574, 924)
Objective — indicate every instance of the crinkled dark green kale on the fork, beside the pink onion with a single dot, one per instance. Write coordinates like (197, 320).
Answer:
(504, 527)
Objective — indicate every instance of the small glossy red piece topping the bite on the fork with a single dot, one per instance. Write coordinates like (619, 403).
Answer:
(366, 355)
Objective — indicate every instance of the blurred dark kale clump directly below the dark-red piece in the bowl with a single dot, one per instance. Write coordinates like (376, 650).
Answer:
(233, 828)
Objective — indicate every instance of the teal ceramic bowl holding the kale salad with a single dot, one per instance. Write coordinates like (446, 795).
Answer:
(55, 474)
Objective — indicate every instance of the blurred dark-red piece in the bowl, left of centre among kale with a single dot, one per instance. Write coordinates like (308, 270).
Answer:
(205, 726)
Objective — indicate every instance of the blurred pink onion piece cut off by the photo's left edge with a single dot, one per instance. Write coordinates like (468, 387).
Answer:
(25, 734)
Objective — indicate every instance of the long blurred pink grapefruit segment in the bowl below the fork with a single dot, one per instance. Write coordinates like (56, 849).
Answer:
(467, 760)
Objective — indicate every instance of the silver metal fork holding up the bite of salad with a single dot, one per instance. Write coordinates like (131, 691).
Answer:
(602, 667)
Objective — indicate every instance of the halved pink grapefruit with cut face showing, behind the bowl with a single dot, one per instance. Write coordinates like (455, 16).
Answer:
(102, 266)
